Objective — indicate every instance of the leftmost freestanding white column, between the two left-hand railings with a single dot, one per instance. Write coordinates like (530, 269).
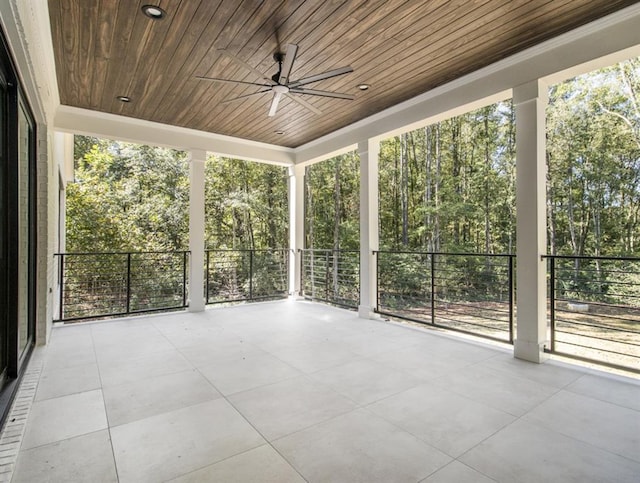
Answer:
(196, 230)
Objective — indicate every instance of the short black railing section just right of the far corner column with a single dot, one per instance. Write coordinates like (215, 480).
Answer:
(331, 276)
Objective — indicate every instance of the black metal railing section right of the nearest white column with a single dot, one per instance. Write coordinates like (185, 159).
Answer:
(594, 309)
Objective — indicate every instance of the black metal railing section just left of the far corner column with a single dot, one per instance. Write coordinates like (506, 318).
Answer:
(245, 275)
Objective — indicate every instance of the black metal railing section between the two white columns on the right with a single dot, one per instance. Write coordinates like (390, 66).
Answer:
(467, 292)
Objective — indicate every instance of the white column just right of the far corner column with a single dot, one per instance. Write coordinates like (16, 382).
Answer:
(368, 151)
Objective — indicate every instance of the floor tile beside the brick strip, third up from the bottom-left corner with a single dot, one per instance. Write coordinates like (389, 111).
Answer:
(67, 380)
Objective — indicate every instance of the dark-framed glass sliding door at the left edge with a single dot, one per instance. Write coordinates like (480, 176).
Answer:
(17, 230)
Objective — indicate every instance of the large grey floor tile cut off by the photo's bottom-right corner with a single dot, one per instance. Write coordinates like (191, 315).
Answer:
(527, 453)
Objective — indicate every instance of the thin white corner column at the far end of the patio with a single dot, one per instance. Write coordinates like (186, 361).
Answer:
(296, 227)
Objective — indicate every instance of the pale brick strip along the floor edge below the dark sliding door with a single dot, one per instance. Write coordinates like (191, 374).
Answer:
(14, 430)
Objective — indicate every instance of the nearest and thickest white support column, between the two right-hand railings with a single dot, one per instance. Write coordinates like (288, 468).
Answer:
(530, 101)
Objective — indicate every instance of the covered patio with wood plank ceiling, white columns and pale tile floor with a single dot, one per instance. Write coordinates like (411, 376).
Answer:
(291, 390)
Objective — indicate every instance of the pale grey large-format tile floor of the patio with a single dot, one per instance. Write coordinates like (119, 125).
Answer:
(294, 391)
